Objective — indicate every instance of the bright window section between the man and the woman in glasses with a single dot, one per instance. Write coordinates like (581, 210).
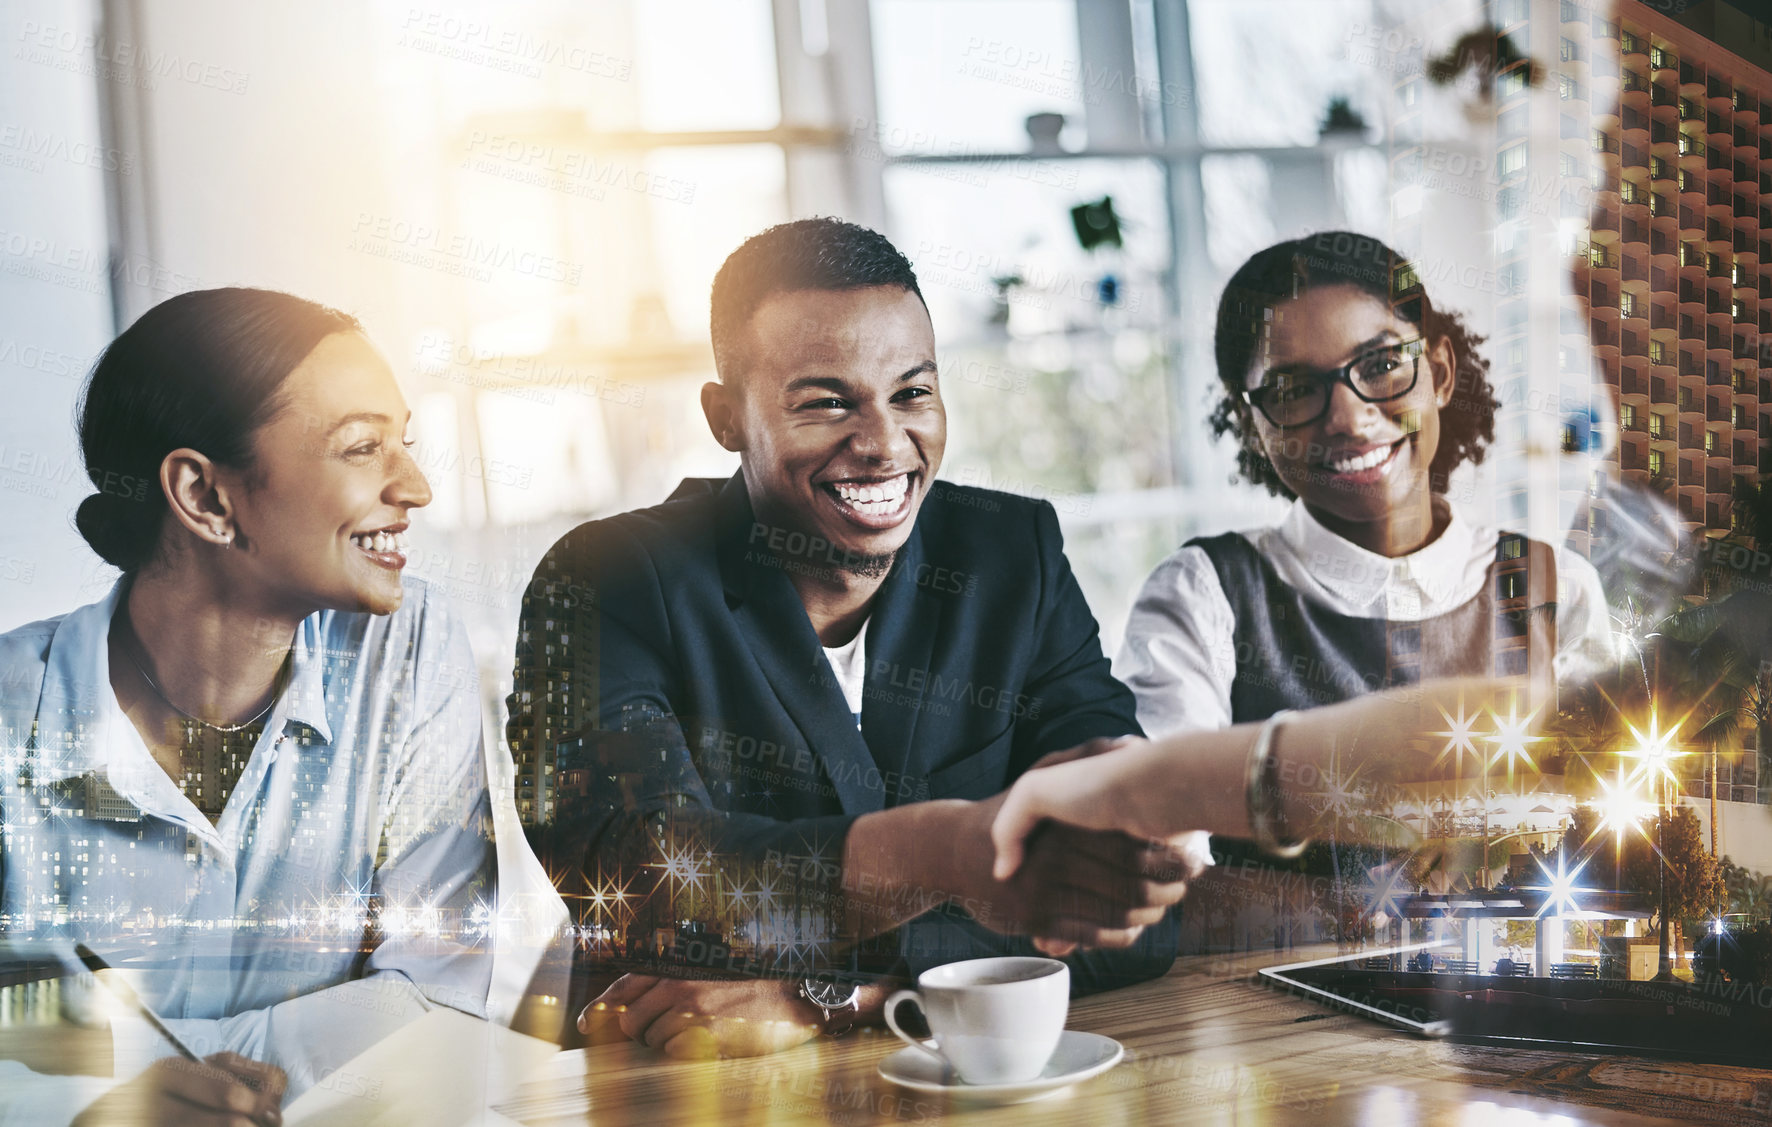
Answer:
(1211, 128)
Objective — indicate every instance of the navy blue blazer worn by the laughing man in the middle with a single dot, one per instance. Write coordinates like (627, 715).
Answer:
(667, 676)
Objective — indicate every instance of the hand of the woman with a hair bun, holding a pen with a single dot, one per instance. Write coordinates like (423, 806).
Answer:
(222, 1091)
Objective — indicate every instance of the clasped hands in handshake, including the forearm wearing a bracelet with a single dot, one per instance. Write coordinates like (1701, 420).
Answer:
(1096, 844)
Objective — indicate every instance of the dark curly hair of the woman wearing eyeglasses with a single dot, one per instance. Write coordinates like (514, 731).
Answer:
(1341, 258)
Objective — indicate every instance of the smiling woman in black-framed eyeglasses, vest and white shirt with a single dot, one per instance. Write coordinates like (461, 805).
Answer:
(1356, 398)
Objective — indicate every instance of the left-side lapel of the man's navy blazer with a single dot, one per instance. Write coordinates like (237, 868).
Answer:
(782, 641)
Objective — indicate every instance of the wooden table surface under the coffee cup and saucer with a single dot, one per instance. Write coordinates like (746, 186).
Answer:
(1206, 1045)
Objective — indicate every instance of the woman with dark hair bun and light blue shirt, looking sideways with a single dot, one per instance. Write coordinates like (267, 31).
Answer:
(260, 759)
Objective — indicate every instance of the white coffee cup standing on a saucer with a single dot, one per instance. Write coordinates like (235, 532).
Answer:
(995, 1022)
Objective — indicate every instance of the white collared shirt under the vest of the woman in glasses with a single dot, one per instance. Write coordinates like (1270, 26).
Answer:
(1179, 653)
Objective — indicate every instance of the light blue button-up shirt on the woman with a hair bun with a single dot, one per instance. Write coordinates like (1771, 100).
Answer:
(346, 887)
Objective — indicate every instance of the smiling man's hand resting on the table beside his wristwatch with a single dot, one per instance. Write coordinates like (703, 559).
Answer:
(701, 1018)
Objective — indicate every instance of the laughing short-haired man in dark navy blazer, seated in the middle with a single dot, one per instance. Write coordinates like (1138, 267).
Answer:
(781, 711)
